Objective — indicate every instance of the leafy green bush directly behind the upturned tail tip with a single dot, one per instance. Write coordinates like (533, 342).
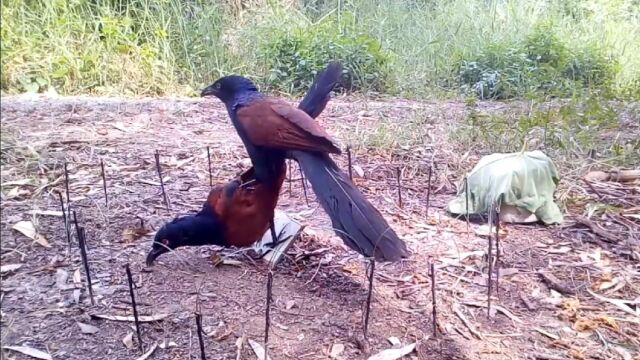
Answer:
(293, 56)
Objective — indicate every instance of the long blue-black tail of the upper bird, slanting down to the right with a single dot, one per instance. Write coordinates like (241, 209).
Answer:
(355, 220)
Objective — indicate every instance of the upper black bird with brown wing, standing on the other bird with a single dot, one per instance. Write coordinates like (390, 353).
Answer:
(272, 131)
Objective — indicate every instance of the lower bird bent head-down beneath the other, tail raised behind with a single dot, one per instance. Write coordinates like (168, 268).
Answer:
(237, 214)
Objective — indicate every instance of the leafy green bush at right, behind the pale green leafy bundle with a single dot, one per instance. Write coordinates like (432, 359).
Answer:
(542, 63)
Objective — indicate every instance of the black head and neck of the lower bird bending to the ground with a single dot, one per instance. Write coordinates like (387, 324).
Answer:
(190, 230)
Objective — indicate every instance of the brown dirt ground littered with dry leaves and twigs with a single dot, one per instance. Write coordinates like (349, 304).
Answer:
(586, 306)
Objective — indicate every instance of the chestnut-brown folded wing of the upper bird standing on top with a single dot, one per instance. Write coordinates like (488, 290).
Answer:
(278, 125)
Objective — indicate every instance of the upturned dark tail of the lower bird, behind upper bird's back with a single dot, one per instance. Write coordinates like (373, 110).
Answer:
(320, 91)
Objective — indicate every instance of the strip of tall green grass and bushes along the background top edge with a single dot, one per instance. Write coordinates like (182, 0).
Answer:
(411, 48)
